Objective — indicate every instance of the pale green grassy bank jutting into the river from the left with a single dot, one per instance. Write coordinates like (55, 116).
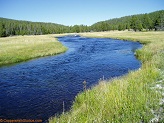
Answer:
(21, 48)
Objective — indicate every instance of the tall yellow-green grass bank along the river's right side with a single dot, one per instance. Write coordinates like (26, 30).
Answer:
(134, 97)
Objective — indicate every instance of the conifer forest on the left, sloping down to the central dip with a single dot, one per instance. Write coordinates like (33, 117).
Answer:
(9, 27)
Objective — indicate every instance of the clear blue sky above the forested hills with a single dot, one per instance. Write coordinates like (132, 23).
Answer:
(75, 12)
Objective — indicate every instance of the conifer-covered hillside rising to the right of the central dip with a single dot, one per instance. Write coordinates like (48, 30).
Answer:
(151, 21)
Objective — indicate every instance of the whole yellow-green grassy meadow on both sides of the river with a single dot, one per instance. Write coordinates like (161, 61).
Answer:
(135, 97)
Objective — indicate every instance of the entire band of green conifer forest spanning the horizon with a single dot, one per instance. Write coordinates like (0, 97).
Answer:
(151, 21)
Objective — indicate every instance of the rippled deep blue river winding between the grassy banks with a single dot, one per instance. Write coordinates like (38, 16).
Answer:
(36, 89)
